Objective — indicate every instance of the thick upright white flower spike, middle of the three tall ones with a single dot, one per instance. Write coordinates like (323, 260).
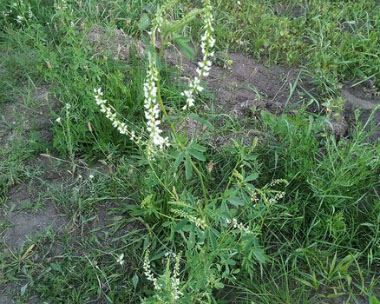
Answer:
(152, 108)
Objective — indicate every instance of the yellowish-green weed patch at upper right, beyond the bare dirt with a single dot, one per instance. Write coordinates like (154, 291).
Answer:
(335, 46)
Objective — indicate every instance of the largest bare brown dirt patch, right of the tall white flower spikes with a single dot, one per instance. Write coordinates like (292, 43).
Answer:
(248, 83)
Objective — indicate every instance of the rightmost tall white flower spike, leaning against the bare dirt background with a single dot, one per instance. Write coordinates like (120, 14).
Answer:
(204, 66)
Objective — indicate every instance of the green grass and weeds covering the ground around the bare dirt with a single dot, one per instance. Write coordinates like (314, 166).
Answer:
(306, 203)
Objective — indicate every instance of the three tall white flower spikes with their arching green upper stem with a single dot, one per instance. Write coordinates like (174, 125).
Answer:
(153, 104)
